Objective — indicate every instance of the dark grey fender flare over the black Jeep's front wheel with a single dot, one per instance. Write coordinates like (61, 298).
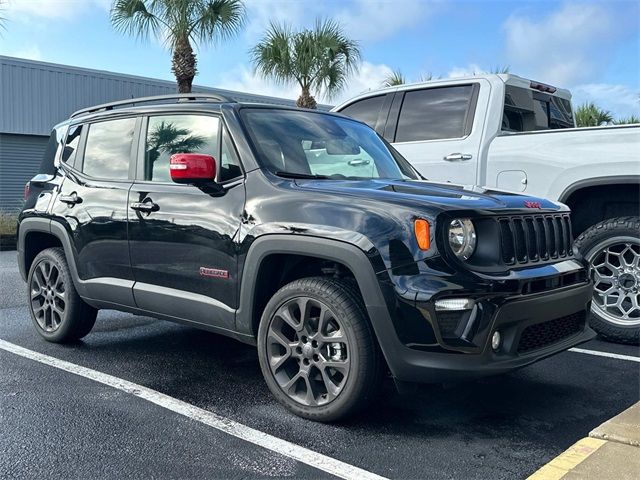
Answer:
(349, 255)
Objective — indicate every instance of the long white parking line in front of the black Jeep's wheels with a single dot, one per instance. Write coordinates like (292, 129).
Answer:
(231, 427)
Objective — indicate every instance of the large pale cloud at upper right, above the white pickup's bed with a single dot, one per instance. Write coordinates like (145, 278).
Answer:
(561, 47)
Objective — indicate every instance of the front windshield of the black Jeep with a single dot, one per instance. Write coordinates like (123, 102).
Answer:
(305, 144)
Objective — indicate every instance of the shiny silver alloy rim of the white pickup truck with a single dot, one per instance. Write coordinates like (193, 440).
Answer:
(616, 266)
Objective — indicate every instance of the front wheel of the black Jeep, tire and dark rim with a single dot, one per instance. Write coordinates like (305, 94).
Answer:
(317, 350)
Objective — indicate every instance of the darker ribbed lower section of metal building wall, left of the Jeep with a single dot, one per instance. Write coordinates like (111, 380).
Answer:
(20, 157)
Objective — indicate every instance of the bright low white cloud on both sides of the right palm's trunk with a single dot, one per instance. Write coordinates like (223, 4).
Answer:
(242, 78)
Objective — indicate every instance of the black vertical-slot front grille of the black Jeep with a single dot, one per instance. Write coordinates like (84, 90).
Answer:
(535, 238)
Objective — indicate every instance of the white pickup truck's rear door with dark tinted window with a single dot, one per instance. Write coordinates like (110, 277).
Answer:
(436, 129)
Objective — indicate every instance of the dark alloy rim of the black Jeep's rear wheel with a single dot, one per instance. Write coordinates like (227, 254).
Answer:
(48, 296)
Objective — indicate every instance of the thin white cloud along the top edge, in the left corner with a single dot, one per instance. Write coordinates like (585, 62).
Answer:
(60, 9)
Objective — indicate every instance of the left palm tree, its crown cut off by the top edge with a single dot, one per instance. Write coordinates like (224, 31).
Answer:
(179, 23)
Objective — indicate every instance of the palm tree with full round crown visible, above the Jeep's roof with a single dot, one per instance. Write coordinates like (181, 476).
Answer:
(319, 59)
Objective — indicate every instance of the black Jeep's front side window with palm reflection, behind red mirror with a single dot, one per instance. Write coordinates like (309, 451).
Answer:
(169, 134)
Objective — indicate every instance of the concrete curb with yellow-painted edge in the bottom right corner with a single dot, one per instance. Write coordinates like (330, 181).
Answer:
(612, 450)
